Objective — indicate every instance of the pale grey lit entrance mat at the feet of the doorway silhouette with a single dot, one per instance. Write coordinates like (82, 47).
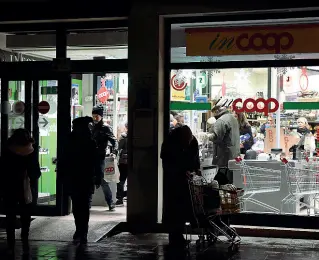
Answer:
(57, 229)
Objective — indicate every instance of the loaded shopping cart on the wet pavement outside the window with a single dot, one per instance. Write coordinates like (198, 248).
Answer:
(208, 208)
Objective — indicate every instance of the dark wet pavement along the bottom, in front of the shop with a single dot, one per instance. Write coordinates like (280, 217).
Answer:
(149, 247)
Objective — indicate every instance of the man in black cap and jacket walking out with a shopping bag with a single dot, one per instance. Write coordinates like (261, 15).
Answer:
(103, 135)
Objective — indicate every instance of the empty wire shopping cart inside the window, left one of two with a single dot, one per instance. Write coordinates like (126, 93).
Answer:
(258, 180)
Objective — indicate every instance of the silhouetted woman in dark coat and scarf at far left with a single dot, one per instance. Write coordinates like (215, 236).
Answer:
(20, 171)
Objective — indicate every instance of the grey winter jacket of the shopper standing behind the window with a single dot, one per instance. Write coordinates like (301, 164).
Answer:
(226, 139)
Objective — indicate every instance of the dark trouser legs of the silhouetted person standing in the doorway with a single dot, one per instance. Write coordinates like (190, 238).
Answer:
(81, 213)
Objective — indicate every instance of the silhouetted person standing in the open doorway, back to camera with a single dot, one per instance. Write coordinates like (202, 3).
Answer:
(78, 171)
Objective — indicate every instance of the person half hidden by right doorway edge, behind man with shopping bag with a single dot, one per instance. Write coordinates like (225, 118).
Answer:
(123, 167)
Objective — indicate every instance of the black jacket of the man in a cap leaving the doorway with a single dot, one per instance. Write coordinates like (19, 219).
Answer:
(102, 135)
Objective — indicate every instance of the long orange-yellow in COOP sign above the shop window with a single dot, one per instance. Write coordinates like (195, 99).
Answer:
(303, 38)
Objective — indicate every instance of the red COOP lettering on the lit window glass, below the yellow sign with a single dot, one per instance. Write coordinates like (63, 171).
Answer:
(259, 105)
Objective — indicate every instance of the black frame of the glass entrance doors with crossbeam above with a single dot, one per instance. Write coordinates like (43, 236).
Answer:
(46, 70)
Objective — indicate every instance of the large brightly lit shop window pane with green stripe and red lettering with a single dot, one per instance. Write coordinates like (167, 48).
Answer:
(278, 108)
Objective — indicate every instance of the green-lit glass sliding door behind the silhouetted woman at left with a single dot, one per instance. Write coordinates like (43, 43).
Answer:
(32, 104)
